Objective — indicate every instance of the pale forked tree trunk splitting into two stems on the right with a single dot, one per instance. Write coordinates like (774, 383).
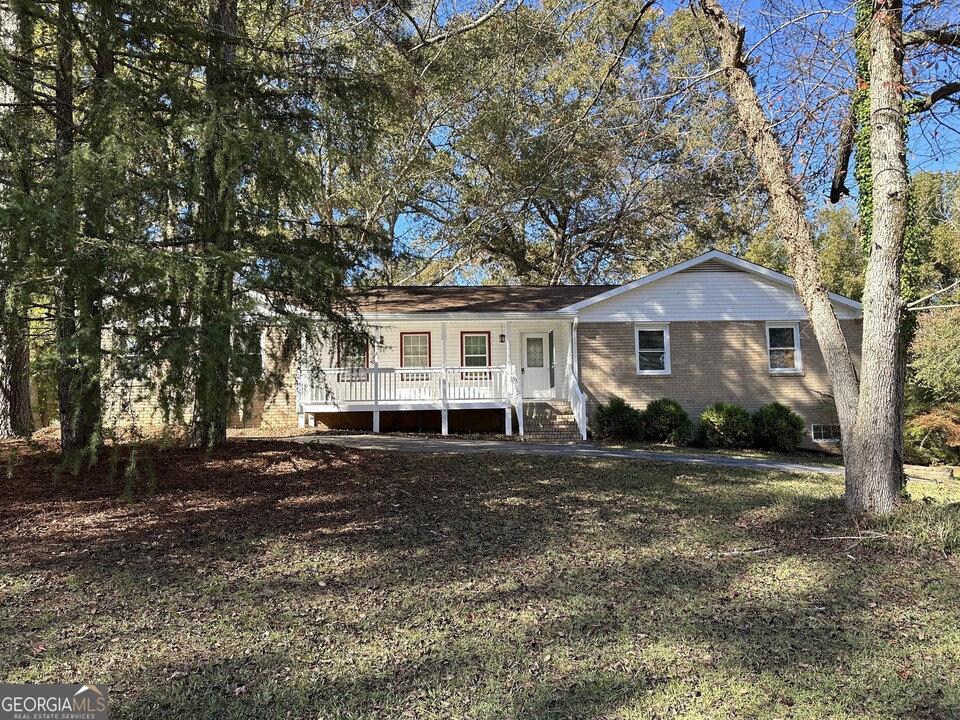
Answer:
(868, 413)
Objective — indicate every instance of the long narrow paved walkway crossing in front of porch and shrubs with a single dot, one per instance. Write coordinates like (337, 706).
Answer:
(453, 445)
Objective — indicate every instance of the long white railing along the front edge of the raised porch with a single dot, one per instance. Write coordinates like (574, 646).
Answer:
(383, 386)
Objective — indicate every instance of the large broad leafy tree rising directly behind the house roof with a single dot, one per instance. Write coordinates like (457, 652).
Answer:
(541, 158)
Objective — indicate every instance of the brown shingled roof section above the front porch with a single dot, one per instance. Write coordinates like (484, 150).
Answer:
(476, 298)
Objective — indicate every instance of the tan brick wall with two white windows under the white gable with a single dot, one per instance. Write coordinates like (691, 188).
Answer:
(710, 362)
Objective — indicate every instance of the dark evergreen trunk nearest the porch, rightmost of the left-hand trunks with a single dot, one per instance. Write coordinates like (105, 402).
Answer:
(213, 390)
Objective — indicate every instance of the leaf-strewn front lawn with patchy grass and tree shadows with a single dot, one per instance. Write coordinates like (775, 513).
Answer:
(275, 580)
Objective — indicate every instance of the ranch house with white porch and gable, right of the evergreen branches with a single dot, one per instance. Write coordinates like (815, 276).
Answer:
(538, 360)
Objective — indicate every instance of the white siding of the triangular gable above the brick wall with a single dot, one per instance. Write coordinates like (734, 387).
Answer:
(704, 295)
